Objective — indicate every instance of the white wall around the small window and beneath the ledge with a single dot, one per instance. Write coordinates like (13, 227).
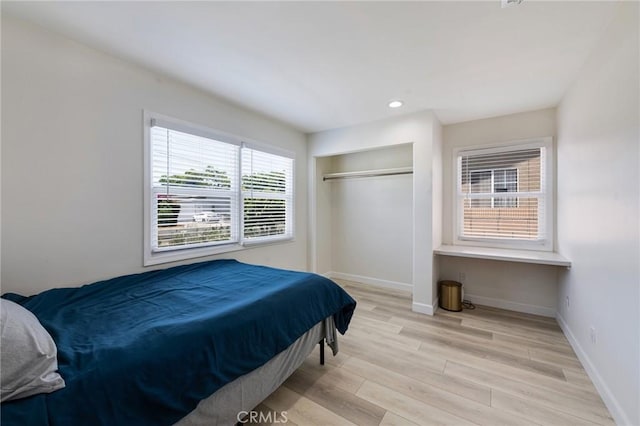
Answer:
(520, 287)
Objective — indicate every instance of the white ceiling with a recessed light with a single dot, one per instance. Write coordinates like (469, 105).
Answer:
(322, 65)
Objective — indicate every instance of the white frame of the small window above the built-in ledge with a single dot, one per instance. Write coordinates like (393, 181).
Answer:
(546, 243)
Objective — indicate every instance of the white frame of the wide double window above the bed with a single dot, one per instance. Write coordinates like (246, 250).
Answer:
(154, 257)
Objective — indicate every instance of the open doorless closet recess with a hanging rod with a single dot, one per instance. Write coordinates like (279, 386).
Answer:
(364, 216)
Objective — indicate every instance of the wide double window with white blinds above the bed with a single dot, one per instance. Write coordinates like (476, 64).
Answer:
(208, 192)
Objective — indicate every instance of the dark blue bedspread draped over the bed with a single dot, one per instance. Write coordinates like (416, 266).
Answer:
(145, 349)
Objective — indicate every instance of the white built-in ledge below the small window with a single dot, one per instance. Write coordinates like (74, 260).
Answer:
(508, 255)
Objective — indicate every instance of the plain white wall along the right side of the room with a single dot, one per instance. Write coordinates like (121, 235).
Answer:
(598, 214)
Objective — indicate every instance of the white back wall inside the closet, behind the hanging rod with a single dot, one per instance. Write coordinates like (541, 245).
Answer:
(372, 228)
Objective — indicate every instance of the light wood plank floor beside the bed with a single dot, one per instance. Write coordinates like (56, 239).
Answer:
(485, 366)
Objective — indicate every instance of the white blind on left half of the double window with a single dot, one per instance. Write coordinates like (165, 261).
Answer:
(194, 190)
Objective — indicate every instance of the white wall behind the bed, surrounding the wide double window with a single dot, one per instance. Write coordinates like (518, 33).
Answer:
(72, 166)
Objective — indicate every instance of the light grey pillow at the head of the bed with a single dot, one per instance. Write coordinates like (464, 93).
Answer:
(28, 360)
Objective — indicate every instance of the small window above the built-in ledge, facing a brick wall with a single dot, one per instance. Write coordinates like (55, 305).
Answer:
(504, 196)
